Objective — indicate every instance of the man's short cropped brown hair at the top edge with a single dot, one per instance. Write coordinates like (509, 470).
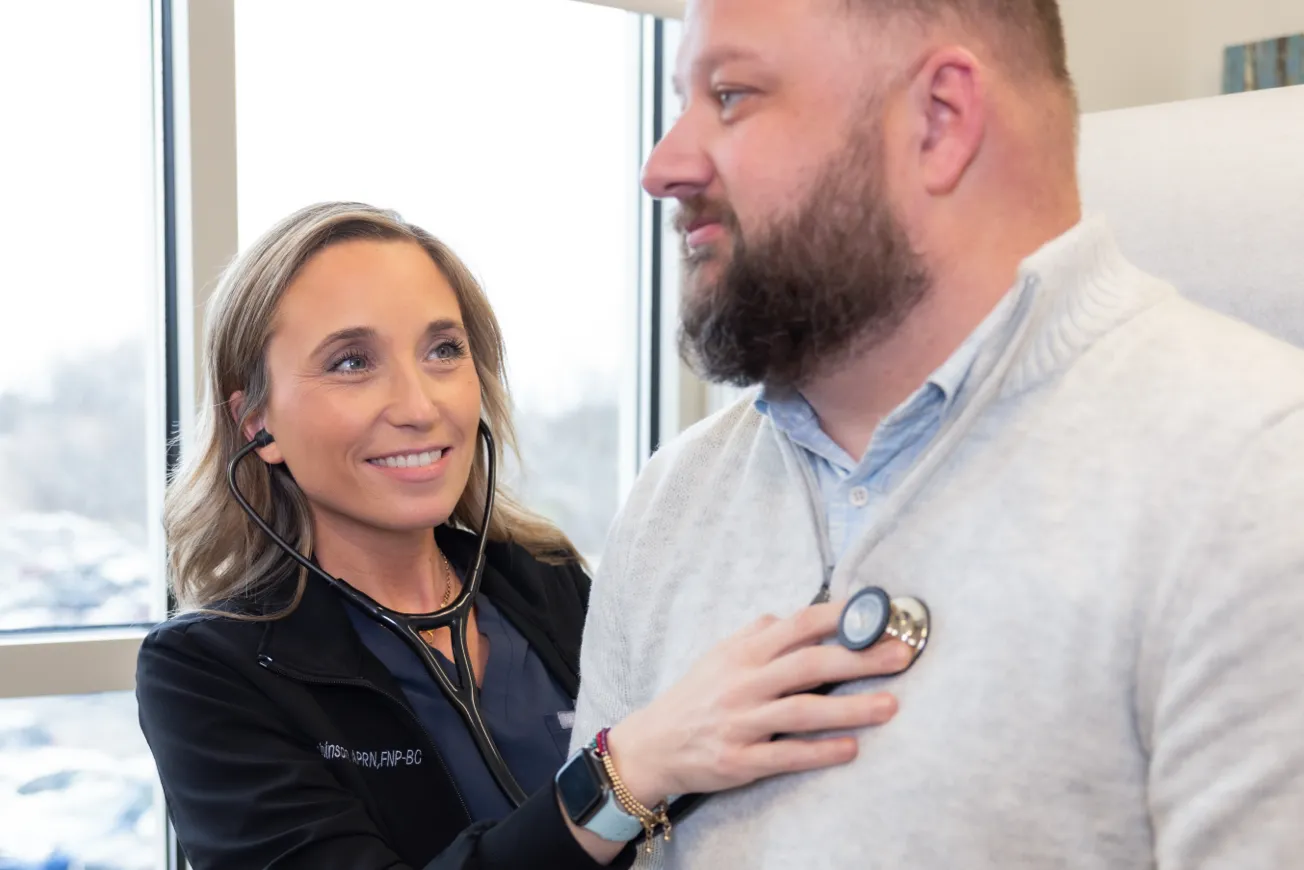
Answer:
(1030, 33)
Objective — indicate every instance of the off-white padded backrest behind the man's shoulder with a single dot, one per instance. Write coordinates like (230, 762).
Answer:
(1209, 196)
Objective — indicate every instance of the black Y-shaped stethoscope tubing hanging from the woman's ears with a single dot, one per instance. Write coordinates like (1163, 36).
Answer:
(464, 695)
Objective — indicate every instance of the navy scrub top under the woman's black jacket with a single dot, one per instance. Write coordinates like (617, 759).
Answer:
(527, 713)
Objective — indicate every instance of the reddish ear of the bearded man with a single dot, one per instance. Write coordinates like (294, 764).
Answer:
(950, 96)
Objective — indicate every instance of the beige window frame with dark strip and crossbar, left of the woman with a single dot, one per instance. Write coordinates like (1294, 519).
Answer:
(194, 84)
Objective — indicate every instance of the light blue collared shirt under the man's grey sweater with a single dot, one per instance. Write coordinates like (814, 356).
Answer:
(853, 491)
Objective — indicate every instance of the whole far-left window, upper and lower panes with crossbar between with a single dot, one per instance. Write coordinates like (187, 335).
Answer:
(83, 431)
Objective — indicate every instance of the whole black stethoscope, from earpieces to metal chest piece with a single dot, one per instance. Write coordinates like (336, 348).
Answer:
(868, 618)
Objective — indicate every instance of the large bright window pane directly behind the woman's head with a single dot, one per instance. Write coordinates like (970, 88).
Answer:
(509, 128)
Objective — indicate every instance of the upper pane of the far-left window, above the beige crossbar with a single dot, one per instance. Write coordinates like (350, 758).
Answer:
(81, 431)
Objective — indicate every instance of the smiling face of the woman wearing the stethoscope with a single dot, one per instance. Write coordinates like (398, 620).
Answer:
(375, 401)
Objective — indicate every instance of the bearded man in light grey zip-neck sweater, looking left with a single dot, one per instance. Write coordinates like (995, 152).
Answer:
(968, 396)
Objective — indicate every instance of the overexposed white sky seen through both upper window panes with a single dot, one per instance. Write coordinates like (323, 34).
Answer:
(505, 127)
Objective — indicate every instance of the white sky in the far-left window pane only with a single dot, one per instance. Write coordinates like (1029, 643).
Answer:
(78, 185)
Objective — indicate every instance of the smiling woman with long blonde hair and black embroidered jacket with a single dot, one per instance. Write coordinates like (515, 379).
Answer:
(290, 730)
